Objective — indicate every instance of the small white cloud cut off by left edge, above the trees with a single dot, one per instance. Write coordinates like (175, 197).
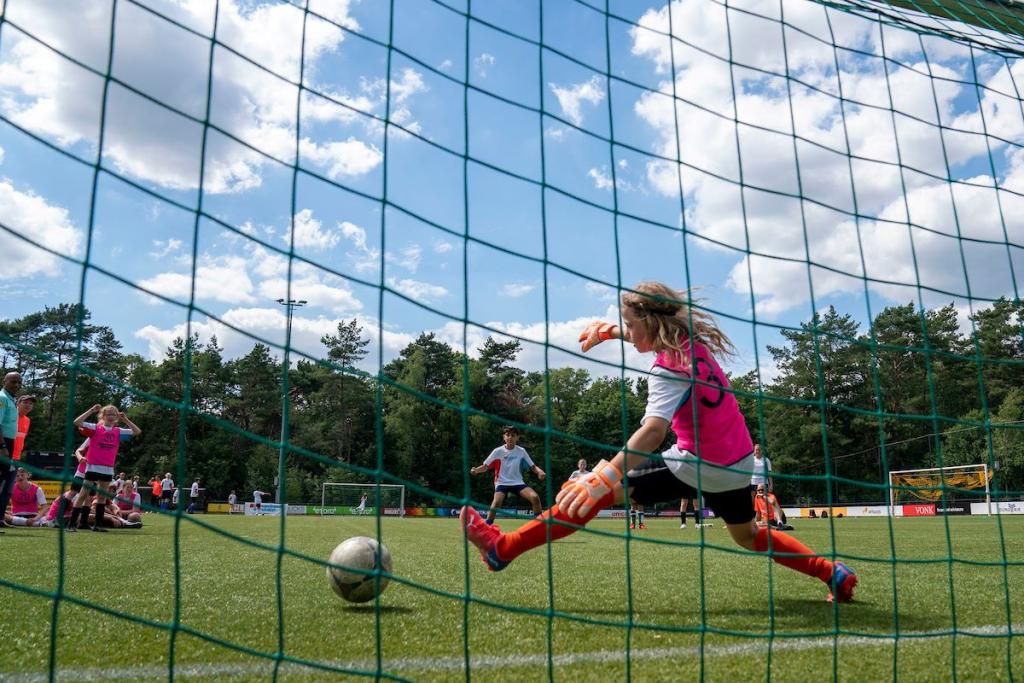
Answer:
(31, 216)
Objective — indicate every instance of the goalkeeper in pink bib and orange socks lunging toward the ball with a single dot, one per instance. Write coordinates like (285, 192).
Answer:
(713, 454)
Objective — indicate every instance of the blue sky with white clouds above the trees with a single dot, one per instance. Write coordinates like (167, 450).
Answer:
(739, 119)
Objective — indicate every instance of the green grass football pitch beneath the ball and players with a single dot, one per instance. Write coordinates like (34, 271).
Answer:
(741, 622)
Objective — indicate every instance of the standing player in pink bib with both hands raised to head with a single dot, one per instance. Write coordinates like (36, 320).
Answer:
(105, 440)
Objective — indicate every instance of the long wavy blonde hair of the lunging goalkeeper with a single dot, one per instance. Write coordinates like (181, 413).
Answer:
(670, 319)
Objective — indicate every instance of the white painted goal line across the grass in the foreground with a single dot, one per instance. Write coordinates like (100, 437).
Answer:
(398, 666)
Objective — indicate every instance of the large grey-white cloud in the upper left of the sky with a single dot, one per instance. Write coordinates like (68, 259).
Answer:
(54, 98)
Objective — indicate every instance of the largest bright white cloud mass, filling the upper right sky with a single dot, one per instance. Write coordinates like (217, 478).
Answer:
(777, 223)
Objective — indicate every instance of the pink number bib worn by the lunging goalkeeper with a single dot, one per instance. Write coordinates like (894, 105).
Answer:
(724, 437)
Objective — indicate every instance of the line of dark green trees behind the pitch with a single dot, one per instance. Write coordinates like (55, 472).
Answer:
(911, 391)
